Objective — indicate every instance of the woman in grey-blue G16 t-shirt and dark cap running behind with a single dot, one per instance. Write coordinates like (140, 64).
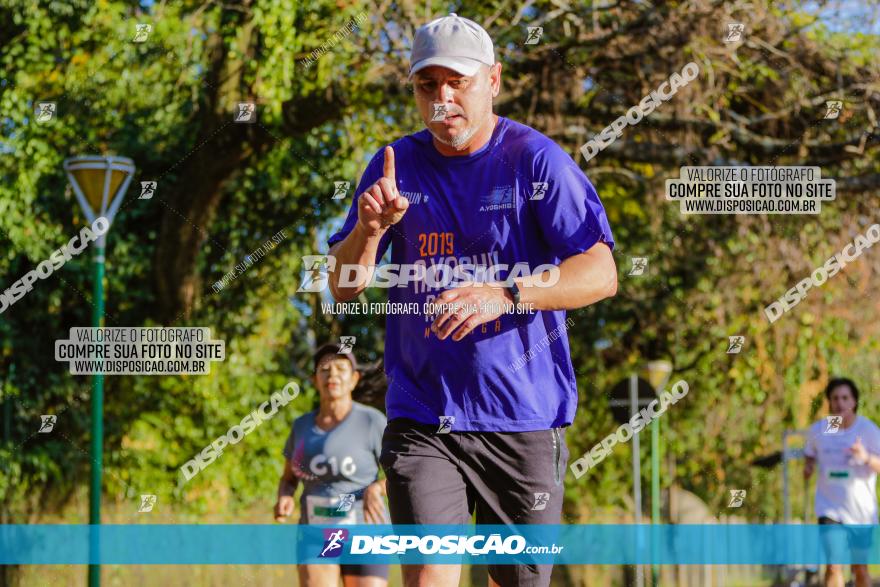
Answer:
(326, 452)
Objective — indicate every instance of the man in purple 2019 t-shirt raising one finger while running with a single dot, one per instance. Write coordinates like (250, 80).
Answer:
(478, 396)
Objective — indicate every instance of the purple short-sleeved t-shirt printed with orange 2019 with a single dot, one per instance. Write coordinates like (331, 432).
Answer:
(519, 199)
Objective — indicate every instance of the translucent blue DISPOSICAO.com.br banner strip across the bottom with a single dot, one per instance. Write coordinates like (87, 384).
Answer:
(746, 544)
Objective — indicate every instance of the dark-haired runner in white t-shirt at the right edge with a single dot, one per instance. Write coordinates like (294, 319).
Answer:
(847, 448)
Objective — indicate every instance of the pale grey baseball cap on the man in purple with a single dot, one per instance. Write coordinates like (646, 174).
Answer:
(454, 42)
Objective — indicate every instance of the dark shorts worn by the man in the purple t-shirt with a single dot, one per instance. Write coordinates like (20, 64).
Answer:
(506, 477)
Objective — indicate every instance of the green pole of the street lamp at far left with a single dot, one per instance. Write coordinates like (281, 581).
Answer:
(97, 418)
